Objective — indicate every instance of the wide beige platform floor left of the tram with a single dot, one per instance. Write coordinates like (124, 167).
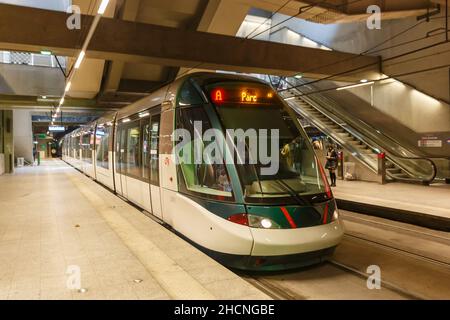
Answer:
(53, 218)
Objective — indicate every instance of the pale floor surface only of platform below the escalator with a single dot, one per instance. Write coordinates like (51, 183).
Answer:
(433, 200)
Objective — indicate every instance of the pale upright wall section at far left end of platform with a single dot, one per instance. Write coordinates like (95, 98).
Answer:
(23, 135)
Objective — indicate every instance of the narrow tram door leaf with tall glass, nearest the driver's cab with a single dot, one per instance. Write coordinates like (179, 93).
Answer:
(155, 192)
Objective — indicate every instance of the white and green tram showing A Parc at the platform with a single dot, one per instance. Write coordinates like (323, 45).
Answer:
(239, 212)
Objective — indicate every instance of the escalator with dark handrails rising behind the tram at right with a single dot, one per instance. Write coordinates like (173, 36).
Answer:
(357, 137)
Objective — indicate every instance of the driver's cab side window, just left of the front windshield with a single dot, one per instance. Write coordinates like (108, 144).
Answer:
(209, 179)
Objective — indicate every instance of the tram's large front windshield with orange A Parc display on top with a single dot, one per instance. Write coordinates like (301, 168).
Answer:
(287, 168)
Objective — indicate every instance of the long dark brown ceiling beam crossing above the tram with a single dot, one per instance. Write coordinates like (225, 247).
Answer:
(31, 29)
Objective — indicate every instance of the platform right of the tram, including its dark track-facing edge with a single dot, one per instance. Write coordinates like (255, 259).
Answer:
(421, 203)
